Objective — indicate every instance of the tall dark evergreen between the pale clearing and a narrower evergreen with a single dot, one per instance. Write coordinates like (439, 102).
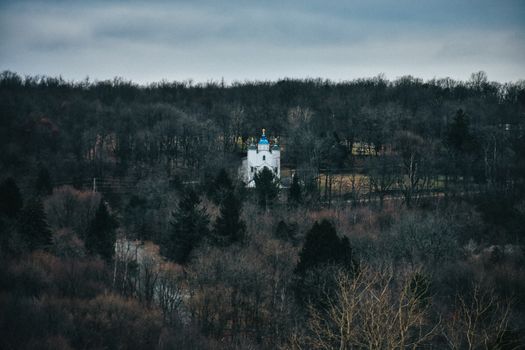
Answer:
(189, 226)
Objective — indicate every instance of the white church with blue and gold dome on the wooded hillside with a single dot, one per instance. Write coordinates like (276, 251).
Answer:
(259, 157)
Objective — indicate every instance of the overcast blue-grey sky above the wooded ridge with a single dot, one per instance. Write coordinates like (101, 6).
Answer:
(204, 40)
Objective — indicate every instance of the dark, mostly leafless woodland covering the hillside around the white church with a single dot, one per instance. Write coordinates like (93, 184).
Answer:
(398, 222)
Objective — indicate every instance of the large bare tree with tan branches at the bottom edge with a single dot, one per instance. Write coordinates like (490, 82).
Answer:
(370, 311)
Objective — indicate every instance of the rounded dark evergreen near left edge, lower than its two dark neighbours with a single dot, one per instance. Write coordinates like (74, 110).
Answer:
(32, 225)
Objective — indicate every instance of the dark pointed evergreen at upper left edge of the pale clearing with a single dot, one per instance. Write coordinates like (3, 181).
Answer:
(101, 236)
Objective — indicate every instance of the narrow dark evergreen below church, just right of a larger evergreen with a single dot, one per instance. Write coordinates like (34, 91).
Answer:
(229, 227)
